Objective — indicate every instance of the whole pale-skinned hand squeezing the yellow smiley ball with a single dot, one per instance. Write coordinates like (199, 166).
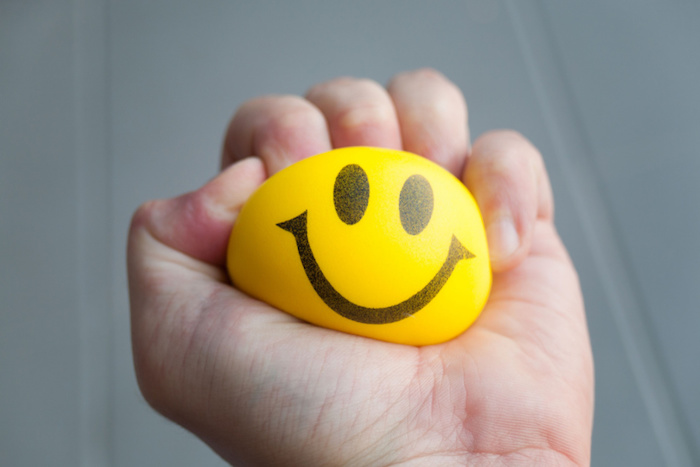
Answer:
(264, 388)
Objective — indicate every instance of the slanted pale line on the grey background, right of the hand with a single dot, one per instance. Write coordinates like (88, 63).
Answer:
(573, 151)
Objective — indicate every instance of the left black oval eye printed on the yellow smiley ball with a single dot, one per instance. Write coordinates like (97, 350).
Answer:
(351, 193)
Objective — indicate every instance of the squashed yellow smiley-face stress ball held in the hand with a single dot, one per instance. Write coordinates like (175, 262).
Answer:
(374, 242)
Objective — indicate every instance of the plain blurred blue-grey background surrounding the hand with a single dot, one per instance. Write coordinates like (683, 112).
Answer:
(105, 104)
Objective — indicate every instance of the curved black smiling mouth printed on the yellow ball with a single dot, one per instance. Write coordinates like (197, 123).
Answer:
(361, 314)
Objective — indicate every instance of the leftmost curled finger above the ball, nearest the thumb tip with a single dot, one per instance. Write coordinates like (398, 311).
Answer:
(279, 129)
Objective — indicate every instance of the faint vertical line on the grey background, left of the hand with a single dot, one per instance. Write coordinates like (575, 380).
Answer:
(93, 212)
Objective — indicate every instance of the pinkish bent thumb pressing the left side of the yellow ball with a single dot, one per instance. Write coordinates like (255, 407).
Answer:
(199, 223)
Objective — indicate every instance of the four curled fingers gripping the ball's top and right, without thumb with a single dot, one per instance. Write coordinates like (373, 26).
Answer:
(422, 112)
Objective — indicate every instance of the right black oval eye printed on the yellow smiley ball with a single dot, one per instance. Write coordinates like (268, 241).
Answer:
(415, 204)
